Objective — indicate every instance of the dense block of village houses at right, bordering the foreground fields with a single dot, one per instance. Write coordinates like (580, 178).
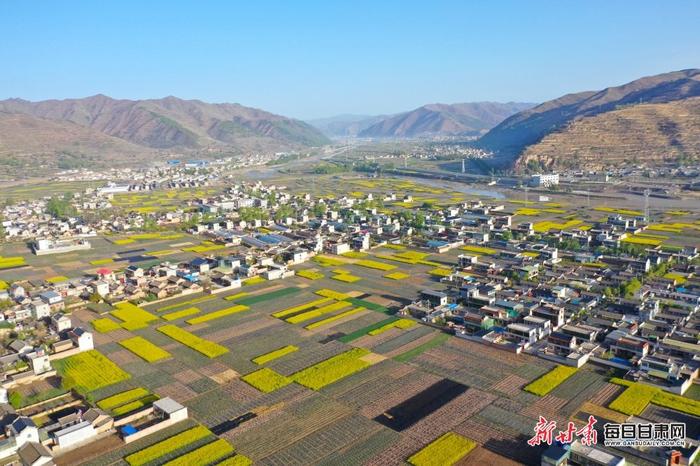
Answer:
(636, 311)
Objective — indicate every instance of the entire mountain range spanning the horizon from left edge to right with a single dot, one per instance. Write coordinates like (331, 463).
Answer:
(650, 120)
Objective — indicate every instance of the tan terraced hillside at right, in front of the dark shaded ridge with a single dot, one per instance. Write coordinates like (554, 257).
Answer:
(640, 134)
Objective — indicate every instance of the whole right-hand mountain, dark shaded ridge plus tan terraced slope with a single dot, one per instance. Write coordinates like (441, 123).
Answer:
(651, 120)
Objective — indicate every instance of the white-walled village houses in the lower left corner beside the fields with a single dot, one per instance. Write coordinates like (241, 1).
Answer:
(43, 336)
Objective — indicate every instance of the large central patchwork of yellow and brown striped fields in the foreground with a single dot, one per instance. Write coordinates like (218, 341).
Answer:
(284, 328)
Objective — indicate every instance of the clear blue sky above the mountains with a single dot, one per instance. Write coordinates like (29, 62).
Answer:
(311, 59)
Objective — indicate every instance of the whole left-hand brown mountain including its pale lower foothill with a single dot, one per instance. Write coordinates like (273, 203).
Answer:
(100, 128)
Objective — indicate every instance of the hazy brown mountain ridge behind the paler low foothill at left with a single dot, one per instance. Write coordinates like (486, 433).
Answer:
(175, 124)
